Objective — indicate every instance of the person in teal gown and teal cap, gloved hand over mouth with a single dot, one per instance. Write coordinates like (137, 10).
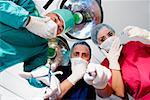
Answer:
(24, 33)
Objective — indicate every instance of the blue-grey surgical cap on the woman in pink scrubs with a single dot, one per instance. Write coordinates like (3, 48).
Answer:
(97, 29)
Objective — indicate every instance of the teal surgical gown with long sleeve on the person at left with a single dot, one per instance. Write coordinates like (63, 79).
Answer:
(28, 47)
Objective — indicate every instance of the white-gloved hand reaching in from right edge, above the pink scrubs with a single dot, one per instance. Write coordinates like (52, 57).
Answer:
(134, 31)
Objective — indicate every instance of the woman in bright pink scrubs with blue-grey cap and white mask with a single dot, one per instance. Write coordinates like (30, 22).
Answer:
(133, 61)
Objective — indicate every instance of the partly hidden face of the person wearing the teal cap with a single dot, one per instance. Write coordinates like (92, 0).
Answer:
(58, 21)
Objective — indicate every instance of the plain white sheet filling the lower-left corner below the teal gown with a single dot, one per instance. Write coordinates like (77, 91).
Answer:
(18, 87)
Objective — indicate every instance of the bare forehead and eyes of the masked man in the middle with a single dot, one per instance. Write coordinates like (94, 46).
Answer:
(81, 51)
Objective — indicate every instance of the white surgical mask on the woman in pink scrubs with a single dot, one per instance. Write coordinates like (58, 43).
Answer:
(106, 45)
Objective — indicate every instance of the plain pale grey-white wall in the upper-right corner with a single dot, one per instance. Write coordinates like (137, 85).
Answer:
(120, 13)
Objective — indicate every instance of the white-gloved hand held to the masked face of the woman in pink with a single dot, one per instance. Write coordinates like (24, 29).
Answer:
(113, 54)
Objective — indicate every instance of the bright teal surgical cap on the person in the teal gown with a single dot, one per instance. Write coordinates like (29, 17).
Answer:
(67, 17)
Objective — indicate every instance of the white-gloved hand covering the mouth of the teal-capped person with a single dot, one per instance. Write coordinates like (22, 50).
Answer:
(43, 27)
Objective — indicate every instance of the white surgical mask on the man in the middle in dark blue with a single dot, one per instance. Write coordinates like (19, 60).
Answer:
(77, 61)
